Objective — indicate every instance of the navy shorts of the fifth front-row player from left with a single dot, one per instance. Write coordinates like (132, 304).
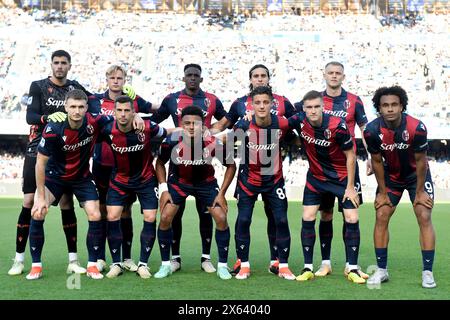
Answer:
(315, 191)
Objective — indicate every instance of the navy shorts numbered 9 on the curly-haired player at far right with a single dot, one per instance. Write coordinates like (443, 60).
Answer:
(395, 190)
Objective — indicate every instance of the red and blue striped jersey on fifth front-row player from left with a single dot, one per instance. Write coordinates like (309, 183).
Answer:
(324, 145)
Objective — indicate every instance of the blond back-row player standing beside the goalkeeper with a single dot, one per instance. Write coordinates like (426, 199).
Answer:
(103, 161)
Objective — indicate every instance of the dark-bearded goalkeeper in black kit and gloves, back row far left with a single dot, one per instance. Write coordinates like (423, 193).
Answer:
(45, 104)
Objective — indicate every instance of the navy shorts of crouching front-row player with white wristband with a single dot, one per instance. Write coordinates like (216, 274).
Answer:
(206, 192)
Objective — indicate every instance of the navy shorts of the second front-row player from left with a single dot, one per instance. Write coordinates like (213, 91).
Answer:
(121, 195)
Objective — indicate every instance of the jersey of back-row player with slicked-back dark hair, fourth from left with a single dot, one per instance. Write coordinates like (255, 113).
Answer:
(281, 107)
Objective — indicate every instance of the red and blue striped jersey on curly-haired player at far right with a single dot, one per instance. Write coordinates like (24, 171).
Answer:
(397, 146)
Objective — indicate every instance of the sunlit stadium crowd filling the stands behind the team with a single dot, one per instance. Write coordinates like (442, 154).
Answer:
(298, 47)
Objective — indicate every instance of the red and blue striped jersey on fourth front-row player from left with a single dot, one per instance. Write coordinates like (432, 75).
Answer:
(261, 161)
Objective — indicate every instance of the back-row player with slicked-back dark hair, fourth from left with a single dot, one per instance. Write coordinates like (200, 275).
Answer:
(259, 75)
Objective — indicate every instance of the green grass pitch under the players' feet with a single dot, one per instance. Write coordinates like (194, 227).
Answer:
(404, 262)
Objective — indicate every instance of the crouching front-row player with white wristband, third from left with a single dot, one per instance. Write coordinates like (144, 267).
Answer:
(192, 173)
